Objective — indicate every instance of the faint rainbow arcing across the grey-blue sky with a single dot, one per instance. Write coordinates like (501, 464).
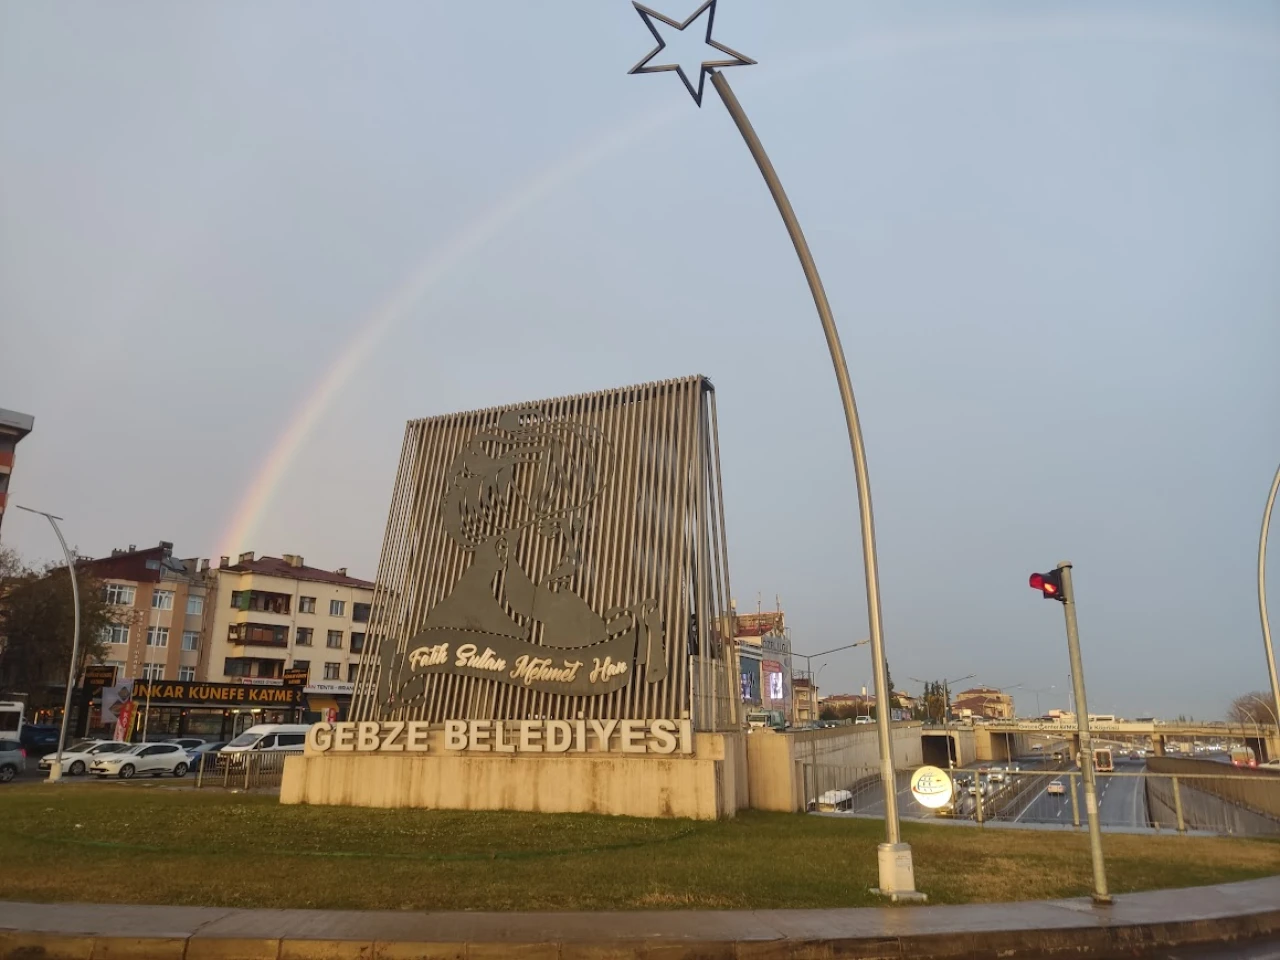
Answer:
(440, 264)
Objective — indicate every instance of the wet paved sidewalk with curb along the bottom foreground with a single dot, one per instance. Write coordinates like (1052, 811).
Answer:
(1133, 925)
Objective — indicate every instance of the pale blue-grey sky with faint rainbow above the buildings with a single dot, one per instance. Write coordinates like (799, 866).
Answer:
(243, 244)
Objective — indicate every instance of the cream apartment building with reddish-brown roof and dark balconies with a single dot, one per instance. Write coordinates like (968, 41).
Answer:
(277, 614)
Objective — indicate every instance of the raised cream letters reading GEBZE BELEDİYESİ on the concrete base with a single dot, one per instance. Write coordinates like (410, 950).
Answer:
(627, 737)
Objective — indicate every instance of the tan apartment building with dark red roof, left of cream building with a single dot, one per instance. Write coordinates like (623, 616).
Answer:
(163, 602)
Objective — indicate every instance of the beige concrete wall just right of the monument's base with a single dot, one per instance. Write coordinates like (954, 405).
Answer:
(775, 761)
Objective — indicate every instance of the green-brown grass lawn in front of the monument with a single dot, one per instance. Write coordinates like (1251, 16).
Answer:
(150, 844)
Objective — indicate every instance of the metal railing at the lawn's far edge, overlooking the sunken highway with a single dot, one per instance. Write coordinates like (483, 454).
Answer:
(1046, 794)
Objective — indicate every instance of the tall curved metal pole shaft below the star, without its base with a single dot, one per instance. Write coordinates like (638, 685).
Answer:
(884, 697)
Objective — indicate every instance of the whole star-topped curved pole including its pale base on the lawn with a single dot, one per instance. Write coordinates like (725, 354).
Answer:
(897, 872)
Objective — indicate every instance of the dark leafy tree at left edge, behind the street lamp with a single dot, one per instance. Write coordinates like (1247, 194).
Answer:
(38, 624)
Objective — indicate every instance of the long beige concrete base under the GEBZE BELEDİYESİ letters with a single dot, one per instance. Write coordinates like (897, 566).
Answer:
(707, 785)
